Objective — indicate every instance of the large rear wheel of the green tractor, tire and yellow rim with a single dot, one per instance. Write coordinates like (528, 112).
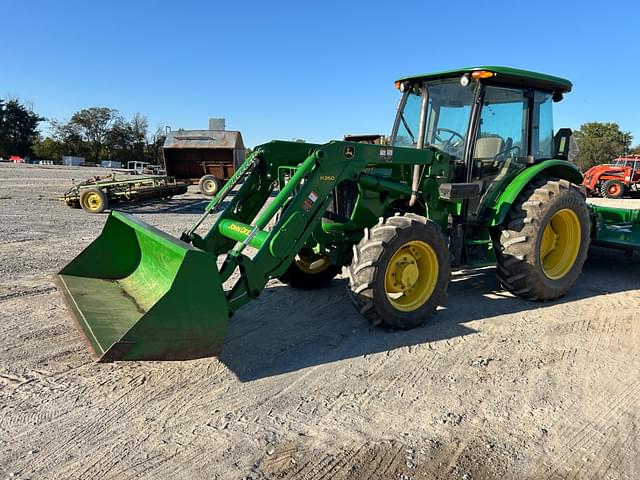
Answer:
(543, 244)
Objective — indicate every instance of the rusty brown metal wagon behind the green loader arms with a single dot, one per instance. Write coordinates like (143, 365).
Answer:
(191, 154)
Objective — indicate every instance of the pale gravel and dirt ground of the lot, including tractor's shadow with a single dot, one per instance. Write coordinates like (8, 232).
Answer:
(491, 387)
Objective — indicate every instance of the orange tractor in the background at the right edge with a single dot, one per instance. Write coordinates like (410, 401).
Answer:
(615, 179)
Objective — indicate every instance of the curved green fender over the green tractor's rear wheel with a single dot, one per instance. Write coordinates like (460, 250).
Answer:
(548, 168)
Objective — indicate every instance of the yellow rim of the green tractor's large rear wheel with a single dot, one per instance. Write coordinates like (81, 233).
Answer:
(560, 244)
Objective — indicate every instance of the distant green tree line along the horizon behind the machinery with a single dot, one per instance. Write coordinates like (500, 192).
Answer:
(101, 133)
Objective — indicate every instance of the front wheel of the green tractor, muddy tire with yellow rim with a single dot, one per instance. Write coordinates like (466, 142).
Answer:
(400, 272)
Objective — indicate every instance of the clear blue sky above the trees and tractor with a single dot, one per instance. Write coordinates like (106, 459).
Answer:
(313, 70)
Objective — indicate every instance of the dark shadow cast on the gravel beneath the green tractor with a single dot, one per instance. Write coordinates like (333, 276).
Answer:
(286, 330)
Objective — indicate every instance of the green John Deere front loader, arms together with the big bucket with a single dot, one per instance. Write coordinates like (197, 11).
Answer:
(139, 294)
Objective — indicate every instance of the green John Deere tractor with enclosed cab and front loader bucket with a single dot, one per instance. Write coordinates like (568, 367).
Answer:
(473, 175)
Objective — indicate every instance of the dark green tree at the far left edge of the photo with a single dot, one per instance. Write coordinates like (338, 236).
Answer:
(18, 129)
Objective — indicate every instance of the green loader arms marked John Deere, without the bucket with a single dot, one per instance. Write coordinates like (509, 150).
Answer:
(303, 201)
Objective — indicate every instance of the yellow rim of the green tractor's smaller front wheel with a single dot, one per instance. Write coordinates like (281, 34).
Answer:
(411, 276)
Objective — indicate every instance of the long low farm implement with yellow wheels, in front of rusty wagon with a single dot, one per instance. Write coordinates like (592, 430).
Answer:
(95, 194)
